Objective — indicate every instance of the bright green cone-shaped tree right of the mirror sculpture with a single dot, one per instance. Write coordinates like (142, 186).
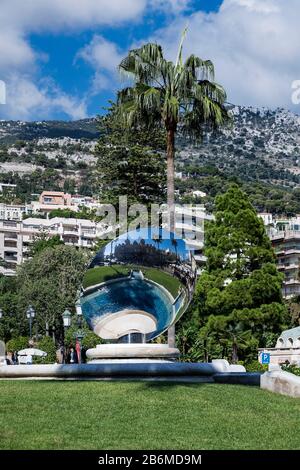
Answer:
(238, 301)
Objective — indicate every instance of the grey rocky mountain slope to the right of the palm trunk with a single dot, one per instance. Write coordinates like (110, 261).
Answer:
(261, 145)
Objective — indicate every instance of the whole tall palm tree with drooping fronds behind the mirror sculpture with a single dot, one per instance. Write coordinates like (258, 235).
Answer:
(171, 95)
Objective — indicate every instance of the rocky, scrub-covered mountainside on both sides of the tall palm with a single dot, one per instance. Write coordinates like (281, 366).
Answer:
(261, 149)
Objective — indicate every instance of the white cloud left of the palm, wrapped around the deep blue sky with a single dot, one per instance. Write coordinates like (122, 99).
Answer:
(27, 96)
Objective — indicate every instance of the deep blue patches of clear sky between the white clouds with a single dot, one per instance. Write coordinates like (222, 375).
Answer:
(75, 76)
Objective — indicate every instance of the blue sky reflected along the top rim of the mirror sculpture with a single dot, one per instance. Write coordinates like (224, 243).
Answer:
(159, 238)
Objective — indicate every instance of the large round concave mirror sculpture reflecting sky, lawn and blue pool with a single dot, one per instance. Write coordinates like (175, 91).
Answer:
(138, 285)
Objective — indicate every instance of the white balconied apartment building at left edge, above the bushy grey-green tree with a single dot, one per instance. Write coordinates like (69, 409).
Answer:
(16, 237)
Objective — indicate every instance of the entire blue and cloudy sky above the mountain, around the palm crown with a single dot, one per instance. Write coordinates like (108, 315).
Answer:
(59, 58)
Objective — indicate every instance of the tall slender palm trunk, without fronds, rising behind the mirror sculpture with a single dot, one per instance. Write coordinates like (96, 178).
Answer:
(171, 202)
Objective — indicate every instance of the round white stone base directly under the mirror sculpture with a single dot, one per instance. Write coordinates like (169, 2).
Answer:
(132, 352)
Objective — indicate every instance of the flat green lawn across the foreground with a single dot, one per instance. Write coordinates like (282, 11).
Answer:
(144, 415)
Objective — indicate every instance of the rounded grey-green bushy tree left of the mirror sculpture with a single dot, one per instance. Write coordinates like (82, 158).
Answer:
(50, 282)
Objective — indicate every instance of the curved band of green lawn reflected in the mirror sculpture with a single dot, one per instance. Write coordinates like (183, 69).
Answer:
(104, 273)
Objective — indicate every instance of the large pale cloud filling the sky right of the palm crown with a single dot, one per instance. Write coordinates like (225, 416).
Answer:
(255, 45)
